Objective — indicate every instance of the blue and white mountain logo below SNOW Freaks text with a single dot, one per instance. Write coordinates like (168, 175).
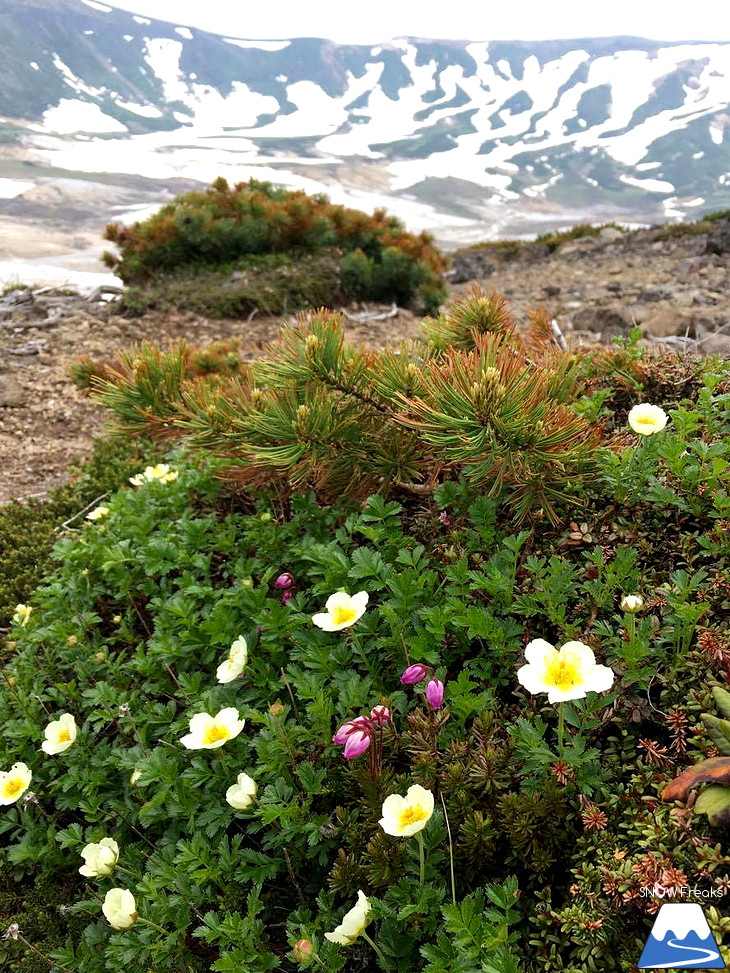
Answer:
(680, 939)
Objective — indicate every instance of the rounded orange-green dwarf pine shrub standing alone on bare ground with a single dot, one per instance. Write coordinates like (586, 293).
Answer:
(229, 250)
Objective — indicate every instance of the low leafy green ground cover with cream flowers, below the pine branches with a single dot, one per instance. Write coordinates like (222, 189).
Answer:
(552, 813)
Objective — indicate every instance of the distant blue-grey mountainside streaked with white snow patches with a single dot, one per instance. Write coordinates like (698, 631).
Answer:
(470, 139)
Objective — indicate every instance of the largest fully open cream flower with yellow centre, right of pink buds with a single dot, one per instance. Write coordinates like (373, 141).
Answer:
(566, 674)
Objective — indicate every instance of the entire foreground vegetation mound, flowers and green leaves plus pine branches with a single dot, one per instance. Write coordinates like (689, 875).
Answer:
(393, 660)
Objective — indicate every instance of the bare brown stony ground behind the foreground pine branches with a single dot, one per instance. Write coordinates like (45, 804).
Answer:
(675, 288)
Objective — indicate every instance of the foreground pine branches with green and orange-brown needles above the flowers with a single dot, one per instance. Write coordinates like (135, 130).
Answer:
(469, 395)
